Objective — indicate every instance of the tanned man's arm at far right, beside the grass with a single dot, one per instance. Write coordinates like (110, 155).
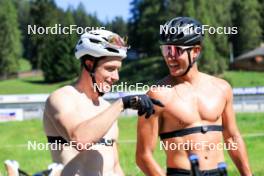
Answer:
(233, 137)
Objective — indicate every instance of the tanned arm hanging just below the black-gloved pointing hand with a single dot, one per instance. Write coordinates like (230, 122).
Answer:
(147, 135)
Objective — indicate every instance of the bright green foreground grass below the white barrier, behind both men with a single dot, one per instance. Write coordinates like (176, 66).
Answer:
(16, 134)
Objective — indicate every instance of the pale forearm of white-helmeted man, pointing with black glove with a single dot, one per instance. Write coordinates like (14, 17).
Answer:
(99, 124)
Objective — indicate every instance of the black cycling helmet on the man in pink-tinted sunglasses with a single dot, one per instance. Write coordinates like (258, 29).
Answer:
(186, 32)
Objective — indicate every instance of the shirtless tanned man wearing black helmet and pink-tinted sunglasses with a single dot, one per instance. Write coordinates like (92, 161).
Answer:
(198, 111)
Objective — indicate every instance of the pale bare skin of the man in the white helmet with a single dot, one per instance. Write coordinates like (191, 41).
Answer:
(72, 106)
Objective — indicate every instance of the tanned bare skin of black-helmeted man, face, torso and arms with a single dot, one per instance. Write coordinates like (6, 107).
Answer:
(194, 99)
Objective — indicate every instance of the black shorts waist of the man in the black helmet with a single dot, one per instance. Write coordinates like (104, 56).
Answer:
(184, 172)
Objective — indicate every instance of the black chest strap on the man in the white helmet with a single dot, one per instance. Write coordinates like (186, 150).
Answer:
(61, 140)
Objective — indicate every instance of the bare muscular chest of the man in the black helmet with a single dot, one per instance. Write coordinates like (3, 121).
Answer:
(188, 106)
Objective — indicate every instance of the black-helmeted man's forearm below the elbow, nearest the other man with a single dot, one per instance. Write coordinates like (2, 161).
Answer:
(149, 166)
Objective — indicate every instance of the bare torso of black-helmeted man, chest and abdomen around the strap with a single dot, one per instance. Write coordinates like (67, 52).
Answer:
(188, 106)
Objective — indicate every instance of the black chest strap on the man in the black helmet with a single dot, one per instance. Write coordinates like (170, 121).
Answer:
(186, 131)
